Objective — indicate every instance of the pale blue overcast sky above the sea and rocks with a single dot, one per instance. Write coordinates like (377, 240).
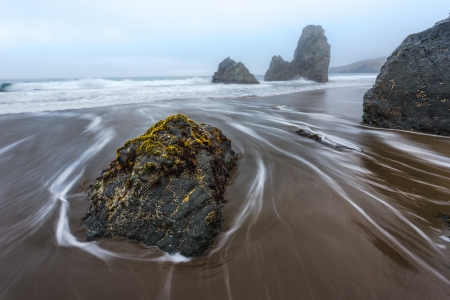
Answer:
(112, 38)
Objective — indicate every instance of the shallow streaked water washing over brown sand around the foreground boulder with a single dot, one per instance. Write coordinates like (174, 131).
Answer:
(302, 220)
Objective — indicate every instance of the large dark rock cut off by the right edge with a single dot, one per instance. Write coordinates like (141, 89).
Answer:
(412, 91)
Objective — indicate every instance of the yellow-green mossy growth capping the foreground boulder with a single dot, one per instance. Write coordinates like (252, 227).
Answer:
(175, 139)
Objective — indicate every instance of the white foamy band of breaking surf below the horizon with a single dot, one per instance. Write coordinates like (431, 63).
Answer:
(52, 95)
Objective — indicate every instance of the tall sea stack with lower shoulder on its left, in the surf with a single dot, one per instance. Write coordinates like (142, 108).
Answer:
(311, 58)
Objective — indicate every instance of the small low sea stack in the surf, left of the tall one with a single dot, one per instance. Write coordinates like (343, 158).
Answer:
(231, 72)
